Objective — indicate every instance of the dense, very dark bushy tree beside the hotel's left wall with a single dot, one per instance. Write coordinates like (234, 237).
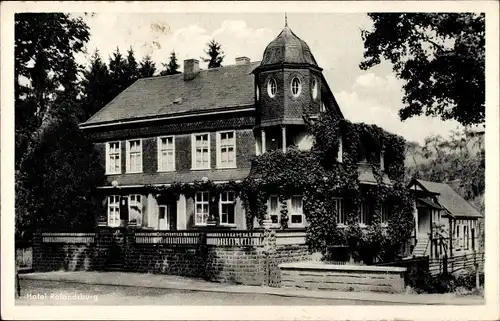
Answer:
(56, 181)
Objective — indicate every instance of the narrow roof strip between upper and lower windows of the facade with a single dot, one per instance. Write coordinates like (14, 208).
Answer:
(181, 177)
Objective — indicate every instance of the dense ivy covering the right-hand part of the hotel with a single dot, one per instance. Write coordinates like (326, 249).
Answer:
(321, 178)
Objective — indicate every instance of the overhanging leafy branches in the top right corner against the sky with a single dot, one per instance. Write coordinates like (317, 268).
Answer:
(439, 56)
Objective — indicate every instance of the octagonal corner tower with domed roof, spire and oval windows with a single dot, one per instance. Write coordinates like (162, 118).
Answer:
(288, 84)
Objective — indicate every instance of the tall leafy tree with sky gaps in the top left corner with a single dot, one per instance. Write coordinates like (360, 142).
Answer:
(44, 50)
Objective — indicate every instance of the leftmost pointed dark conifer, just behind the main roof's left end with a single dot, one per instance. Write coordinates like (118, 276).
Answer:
(96, 85)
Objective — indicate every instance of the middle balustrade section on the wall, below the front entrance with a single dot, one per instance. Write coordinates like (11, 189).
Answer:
(169, 237)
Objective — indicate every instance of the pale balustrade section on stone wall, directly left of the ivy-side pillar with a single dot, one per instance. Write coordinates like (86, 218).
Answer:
(235, 238)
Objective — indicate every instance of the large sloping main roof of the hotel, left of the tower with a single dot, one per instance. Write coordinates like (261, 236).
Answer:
(212, 89)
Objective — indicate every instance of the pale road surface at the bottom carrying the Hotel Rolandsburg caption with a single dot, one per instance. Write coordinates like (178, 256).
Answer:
(38, 292)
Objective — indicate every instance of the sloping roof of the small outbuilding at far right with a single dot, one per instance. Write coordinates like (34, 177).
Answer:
(450, 199)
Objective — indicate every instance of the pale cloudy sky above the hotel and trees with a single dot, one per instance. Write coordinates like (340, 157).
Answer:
(372, 96)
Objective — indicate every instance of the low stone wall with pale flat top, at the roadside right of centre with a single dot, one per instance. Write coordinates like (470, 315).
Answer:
(320, 276)
